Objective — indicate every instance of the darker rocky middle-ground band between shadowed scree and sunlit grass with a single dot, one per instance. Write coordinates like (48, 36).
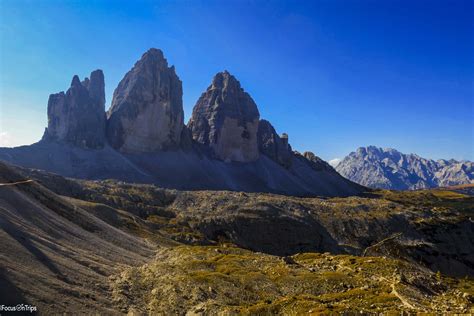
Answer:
(430, 227)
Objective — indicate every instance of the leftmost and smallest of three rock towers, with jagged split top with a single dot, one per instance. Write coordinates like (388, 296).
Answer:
(78, 116)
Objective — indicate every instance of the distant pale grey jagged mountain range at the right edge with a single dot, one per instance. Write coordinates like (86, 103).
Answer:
(390, 169)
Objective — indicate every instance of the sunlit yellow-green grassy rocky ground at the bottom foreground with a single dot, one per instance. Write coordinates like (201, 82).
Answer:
(233, 281)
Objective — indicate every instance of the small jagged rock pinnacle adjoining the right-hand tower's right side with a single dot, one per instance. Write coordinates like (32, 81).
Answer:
(272, 145)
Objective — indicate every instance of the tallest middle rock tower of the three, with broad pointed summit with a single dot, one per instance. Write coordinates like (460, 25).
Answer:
(146, 114)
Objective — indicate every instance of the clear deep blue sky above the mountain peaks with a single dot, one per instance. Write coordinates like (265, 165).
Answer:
(334, 75)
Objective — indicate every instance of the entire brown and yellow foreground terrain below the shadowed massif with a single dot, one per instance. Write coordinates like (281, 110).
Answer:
(119, 248)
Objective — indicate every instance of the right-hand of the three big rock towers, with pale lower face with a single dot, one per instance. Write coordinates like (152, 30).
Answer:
(225, 118)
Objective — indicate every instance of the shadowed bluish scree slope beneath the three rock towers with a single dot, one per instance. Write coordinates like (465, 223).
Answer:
(182, 170)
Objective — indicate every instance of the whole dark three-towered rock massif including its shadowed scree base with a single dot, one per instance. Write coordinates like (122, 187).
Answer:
(142, 138)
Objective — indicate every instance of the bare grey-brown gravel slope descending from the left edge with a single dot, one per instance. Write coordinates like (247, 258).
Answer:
(55, 255)
